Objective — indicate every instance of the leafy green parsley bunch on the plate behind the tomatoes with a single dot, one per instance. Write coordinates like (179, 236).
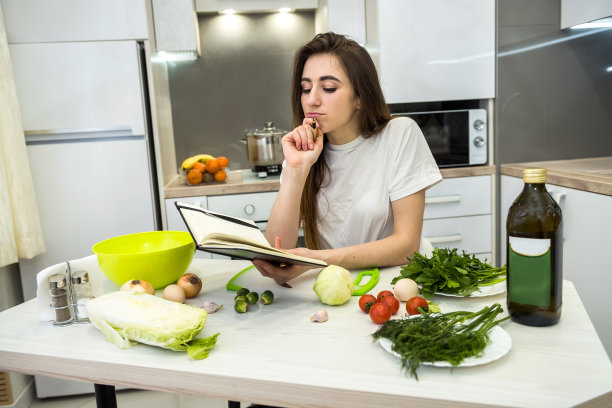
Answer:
(448, 272)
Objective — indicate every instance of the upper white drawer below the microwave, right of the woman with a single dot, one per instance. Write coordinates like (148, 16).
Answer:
(459, 197)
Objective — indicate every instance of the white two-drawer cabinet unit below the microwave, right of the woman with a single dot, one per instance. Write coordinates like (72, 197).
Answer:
(458, 214)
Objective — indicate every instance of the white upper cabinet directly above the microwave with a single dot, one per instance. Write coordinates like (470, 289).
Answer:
(437, 50)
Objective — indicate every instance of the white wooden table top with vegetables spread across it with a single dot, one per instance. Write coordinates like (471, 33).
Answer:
(273, 354)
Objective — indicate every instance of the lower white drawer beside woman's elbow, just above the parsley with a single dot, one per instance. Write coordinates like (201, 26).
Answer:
(471, 234)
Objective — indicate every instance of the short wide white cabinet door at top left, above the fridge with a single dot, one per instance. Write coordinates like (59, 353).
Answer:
(36, 21)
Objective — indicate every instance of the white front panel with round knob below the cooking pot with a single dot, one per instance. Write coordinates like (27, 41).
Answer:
(252, 206)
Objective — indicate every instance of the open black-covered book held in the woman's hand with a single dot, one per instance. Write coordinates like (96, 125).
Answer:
(234, 237)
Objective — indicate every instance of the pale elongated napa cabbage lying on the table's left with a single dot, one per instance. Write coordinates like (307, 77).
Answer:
(127, 317)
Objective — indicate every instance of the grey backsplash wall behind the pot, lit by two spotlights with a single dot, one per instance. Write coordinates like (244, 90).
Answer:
(241, 81)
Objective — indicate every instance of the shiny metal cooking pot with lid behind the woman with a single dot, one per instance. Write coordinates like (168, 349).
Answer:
(264, 148)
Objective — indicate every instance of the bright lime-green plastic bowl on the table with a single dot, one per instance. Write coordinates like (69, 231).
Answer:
(158, 257)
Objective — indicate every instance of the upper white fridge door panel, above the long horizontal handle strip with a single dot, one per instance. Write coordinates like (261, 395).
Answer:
(78, 87)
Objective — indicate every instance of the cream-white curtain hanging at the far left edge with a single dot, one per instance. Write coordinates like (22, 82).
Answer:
(20, 230)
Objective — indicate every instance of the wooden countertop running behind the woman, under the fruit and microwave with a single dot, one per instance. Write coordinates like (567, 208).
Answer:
(245, 181)
